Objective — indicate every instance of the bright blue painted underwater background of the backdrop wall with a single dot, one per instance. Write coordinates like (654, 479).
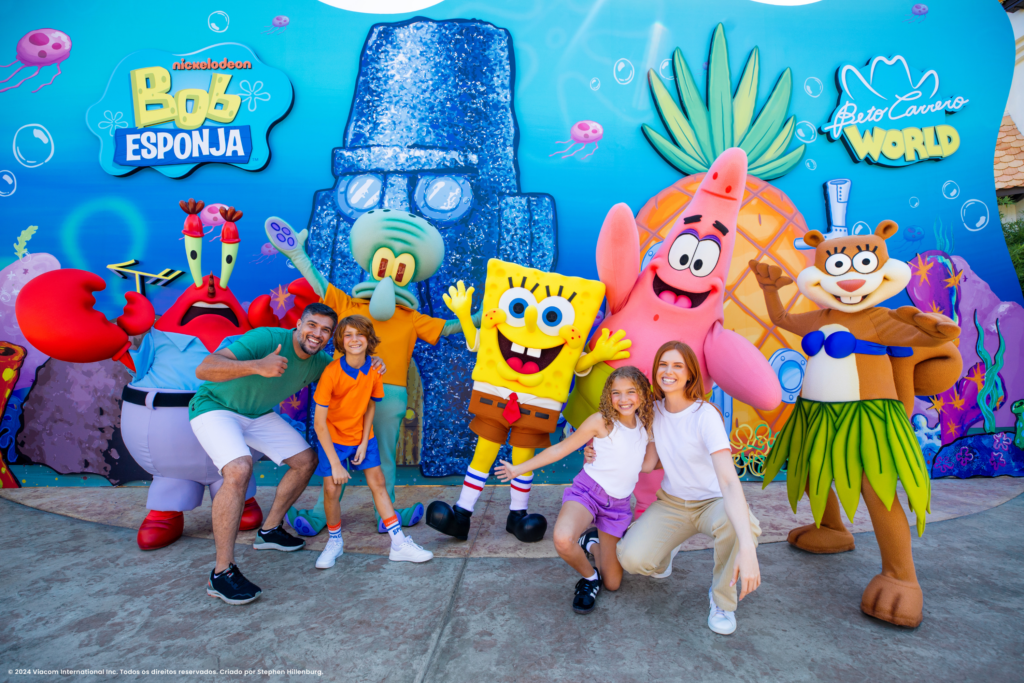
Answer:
(569, 69)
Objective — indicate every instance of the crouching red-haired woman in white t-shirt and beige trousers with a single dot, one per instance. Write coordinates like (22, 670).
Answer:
(701, 493)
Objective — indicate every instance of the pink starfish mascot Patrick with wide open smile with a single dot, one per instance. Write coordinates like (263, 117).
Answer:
(679, 296)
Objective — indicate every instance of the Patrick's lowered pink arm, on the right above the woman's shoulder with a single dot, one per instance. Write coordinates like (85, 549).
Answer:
(741, 369)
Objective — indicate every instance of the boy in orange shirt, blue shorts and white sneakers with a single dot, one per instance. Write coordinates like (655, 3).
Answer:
(346, 402)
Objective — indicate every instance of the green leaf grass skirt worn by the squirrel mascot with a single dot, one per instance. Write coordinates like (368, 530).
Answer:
(841, 442)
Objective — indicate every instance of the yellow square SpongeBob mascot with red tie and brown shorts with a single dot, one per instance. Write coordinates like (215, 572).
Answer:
(530, 345)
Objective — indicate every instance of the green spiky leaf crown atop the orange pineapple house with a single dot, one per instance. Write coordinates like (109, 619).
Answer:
(702, 130)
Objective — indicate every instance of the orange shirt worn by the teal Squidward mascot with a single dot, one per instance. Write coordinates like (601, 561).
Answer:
(398, 335)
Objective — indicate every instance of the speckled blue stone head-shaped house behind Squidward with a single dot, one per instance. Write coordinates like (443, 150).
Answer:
(437, 99)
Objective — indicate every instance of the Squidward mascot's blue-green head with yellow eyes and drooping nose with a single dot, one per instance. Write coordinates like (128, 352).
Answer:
(397, 248)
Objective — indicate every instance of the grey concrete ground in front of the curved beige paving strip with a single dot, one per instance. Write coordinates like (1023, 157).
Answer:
(80, 595)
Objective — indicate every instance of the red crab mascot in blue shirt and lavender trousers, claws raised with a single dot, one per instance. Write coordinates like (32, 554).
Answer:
(56, 313)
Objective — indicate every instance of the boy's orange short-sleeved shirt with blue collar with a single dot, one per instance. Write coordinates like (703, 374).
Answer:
(346, 393)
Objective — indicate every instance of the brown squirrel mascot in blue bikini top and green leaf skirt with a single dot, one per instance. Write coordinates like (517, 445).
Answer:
(851, 425)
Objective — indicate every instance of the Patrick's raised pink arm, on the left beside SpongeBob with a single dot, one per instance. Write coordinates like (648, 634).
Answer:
(619, 255)
